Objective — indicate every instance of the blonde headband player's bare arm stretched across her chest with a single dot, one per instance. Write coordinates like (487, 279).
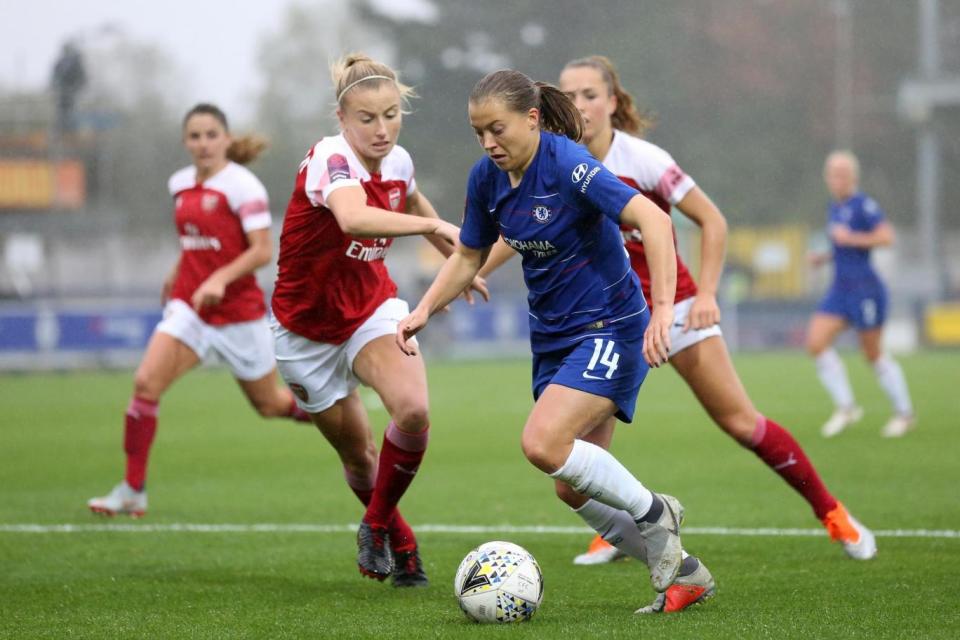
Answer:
(356, 218)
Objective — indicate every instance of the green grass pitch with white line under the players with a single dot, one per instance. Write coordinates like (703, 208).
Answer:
(216, 462)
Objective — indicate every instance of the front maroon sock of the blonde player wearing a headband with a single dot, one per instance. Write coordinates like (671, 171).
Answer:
(400, 458)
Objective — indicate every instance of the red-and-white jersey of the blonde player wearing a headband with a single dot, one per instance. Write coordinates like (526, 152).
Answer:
(329, 282)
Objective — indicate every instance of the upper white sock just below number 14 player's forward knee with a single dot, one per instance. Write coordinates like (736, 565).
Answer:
(595, 473)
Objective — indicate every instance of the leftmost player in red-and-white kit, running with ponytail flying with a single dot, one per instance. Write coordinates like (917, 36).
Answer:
(213, 306)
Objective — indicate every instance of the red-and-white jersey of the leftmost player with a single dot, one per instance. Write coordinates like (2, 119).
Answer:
(213, 219)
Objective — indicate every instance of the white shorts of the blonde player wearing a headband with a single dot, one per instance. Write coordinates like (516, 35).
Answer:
(320, 373)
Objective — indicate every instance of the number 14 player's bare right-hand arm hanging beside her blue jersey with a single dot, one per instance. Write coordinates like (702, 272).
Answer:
(657, 231)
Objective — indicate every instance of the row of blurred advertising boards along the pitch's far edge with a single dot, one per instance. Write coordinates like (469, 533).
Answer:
(113, 333)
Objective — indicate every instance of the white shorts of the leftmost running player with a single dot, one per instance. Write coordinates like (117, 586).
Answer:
(245, 347)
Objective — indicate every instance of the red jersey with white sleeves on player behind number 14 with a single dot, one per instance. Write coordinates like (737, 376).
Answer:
(652, 171)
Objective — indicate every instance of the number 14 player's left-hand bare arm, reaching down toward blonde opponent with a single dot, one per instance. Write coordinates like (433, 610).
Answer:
(456, 273)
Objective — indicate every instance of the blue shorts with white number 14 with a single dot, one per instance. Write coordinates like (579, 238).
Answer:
(607, 365)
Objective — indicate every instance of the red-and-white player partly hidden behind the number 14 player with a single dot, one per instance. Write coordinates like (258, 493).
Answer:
(698, 352)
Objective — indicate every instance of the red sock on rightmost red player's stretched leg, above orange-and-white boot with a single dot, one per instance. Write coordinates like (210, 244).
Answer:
(776, 447)
